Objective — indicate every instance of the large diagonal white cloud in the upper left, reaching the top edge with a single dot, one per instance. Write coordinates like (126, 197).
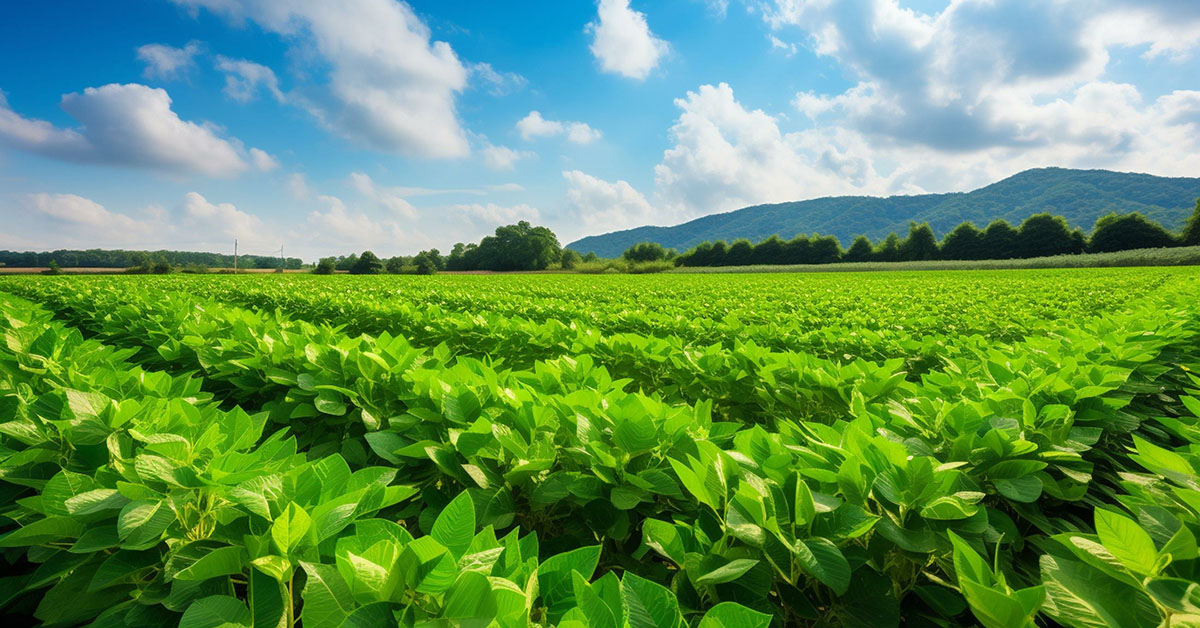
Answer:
(389, 86)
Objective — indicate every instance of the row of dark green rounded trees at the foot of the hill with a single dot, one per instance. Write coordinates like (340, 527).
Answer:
(1039, 236)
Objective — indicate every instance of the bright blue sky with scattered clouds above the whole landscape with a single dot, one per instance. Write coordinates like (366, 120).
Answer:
(332, 128)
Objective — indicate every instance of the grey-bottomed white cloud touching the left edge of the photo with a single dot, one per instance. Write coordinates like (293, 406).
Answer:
(128, 125)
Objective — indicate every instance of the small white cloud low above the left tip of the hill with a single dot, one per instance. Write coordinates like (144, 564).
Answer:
(602, 206)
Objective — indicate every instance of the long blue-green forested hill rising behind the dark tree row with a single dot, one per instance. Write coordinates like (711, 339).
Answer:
(1081, 196)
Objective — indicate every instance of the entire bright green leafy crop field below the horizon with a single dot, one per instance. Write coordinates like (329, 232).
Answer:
(999, 448)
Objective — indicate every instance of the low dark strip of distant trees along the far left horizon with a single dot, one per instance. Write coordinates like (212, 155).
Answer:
(121, 259)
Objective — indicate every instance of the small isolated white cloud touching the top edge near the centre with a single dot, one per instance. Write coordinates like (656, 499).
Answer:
(622, 41)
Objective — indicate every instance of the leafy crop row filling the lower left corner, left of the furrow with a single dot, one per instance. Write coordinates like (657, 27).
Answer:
(136, 501)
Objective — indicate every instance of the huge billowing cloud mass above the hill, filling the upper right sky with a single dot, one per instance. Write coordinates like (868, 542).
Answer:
(944, 103)
